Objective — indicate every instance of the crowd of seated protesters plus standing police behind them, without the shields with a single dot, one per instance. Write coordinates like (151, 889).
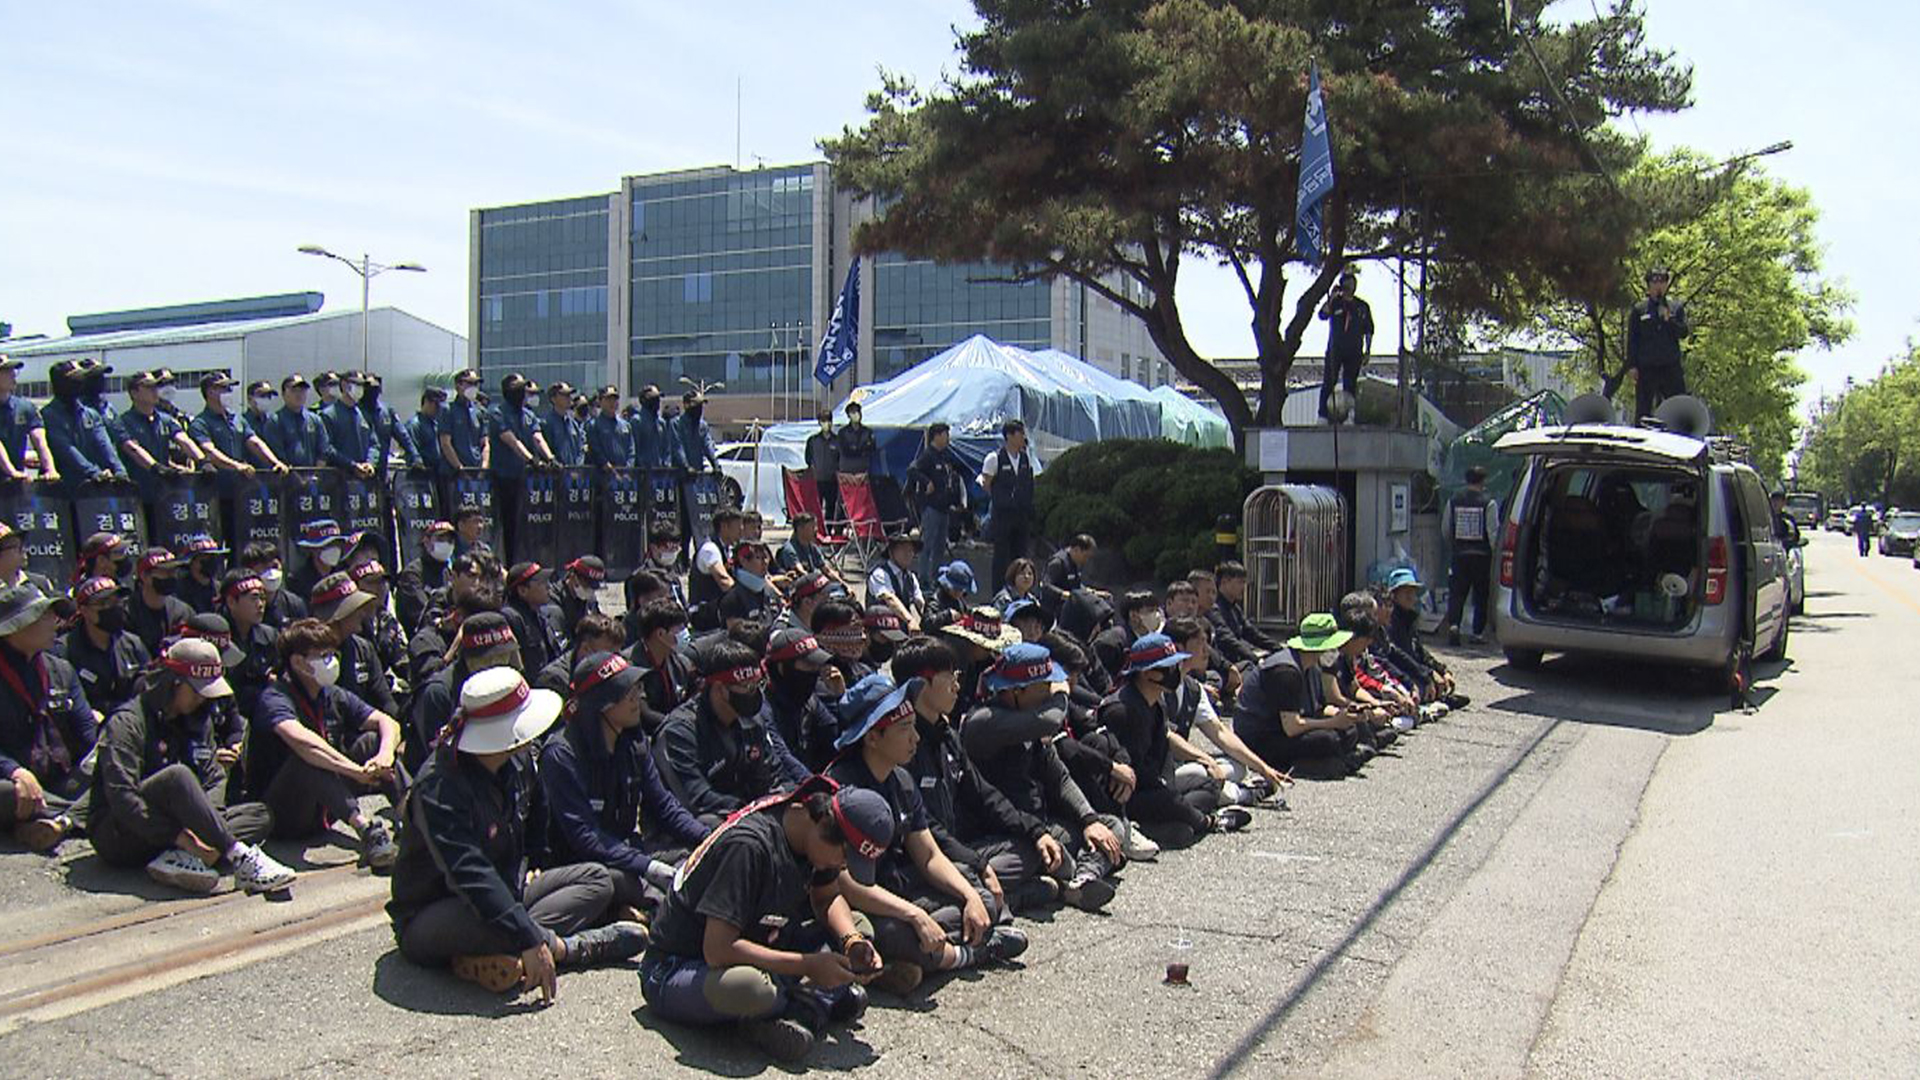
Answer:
(771, 781)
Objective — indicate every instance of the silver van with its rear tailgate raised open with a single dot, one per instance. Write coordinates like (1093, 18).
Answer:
(1639, 545)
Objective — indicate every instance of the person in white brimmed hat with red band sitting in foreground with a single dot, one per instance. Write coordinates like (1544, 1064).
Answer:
(462, 889)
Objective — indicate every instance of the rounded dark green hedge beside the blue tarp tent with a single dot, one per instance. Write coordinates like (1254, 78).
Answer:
(1153, 503)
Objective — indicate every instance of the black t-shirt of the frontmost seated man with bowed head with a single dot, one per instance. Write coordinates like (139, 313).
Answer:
(748, 875)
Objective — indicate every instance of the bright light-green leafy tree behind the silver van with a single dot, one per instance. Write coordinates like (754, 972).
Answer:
(1746, 260)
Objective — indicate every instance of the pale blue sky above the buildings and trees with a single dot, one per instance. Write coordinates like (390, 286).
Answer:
(172, 153)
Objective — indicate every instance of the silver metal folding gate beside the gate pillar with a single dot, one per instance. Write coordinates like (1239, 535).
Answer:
(1295, 539)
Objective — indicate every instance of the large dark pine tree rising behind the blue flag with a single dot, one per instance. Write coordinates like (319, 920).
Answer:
(1111, 141)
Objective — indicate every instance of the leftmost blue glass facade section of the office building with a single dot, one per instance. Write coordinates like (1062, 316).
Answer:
(540, 291)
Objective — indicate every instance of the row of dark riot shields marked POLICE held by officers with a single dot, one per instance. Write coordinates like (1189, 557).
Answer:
(567, 512)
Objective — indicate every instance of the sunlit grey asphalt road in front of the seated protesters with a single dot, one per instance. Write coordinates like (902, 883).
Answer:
(1591, 871)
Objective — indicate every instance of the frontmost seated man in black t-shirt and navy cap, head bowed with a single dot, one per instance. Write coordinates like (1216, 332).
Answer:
(757, 931)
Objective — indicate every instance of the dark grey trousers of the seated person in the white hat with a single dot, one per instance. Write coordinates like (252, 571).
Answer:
(562, 902)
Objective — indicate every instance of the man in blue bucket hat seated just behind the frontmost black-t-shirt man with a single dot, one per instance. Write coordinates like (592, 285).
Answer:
(928, 914)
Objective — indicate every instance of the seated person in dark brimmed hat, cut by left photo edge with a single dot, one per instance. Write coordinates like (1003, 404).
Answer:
(47, 727)
